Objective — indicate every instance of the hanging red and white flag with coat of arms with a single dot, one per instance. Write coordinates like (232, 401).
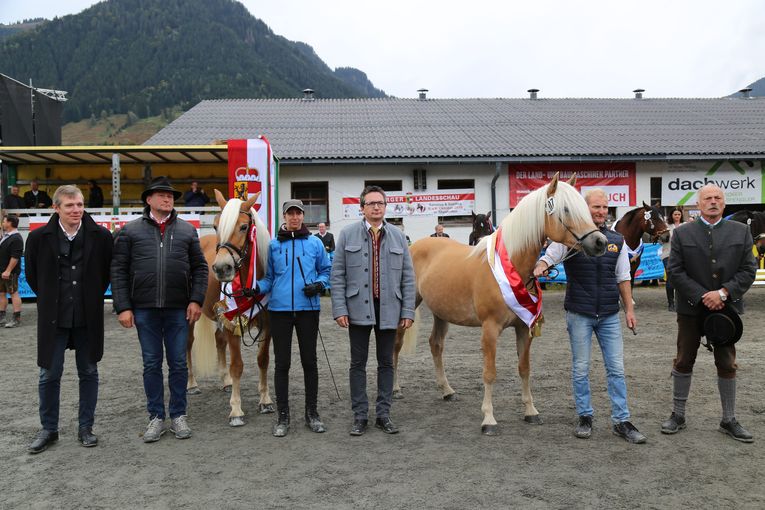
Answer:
(252, 168)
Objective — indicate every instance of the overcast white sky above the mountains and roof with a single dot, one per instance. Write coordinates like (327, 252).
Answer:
(501, 48)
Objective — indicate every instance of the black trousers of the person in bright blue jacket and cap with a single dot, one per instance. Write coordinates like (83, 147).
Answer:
(306, 325)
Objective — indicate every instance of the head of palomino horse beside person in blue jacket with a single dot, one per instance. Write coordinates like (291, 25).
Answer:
(233, 232)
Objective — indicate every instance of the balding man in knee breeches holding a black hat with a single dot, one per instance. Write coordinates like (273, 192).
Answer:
(711, 266)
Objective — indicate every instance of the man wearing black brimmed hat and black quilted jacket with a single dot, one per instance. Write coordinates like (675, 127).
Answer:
(159, 280)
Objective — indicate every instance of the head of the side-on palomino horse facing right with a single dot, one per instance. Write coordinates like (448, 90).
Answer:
(568, 219)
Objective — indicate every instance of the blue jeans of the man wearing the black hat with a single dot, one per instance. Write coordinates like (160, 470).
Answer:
(157, 327)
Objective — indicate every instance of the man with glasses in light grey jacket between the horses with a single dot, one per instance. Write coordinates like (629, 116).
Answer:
(372, 288)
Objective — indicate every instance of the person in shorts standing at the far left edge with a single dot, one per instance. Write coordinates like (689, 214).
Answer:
(11, 251)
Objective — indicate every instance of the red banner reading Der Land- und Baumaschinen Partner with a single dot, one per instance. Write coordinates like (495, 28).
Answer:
(616, 179)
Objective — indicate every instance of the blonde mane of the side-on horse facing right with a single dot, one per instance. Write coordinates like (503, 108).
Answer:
(524, 227)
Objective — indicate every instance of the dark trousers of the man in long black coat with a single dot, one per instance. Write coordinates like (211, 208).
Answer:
(50, 380)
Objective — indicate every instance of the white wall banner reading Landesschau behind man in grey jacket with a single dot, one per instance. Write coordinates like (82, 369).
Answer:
(453, 202)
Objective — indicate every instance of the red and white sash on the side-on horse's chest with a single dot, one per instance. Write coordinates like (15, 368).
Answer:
(525, 305)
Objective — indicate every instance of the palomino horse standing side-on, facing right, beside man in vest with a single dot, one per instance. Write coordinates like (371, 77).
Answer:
(472, 296)
